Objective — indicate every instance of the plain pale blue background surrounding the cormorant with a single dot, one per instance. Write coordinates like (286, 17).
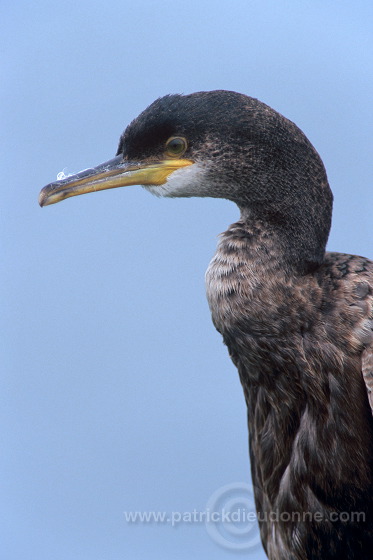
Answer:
(117, 393)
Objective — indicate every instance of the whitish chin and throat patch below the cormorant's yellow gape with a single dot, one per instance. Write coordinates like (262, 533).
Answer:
(186, 181)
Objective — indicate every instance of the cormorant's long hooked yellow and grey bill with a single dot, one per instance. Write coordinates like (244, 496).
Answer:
(110, 175)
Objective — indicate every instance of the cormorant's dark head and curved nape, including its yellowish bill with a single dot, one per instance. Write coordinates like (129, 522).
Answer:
(219, 144)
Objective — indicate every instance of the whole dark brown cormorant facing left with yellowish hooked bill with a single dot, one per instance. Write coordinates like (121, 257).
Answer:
(297, 320)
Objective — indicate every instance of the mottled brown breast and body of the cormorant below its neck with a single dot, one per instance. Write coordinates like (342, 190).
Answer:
(302, 344)
